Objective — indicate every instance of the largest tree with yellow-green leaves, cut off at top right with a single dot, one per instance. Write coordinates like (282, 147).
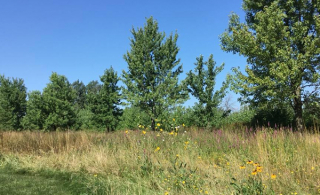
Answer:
(281, 41)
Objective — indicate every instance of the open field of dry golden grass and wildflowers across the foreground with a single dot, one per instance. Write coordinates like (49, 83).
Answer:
(143, 162)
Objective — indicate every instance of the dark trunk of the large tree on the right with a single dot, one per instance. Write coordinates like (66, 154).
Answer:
(298, 121)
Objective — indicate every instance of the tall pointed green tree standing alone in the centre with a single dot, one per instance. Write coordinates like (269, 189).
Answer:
(153, 69)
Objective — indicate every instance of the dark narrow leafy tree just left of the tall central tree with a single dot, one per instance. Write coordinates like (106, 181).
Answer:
(104, 104)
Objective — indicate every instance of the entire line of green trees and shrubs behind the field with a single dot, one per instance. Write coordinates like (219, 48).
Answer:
(280, 86)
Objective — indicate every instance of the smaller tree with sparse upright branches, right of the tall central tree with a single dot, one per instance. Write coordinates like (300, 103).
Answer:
(201, 83)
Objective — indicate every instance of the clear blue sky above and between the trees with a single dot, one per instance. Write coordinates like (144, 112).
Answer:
(80, 39)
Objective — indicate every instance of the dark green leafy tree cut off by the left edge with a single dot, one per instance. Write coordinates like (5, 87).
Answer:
(12, 102)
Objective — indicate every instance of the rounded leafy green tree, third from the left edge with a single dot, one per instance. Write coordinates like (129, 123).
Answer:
(58, 97)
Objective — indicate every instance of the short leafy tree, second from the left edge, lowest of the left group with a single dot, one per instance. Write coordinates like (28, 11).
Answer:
(35, 117)
